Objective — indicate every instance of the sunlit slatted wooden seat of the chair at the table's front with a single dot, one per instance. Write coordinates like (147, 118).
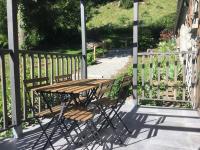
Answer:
(78, 114)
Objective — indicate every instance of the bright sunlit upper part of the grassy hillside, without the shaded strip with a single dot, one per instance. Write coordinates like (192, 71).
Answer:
(150, 12)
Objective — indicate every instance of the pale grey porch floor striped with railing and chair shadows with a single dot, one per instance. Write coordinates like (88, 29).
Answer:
(153, 129)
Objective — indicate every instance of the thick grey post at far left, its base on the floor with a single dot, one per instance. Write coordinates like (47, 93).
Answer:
(14, 66)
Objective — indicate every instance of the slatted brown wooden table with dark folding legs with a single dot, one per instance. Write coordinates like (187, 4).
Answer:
(72, 88)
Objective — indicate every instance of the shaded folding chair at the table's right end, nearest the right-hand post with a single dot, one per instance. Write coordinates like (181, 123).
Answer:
(114, 105)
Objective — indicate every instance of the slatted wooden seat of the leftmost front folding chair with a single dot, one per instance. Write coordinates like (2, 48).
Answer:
(47, 112)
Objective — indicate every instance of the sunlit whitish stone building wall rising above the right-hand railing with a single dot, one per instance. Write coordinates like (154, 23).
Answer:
(189, 23)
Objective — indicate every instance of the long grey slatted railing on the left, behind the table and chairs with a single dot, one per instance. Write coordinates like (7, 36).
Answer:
(32, 64)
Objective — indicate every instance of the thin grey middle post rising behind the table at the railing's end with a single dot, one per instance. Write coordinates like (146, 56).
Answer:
(83, 36)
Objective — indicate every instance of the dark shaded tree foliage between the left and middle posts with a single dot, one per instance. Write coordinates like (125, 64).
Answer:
(49, 21)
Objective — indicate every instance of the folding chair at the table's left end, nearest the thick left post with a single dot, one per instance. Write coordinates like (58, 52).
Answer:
(50, 112)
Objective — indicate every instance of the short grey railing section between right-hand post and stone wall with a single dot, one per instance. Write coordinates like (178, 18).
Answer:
(167, 76)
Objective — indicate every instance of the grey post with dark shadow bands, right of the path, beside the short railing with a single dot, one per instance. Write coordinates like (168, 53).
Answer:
(135, 49)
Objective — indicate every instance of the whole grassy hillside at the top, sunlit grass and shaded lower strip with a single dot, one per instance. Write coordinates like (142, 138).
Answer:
(111, 23)
